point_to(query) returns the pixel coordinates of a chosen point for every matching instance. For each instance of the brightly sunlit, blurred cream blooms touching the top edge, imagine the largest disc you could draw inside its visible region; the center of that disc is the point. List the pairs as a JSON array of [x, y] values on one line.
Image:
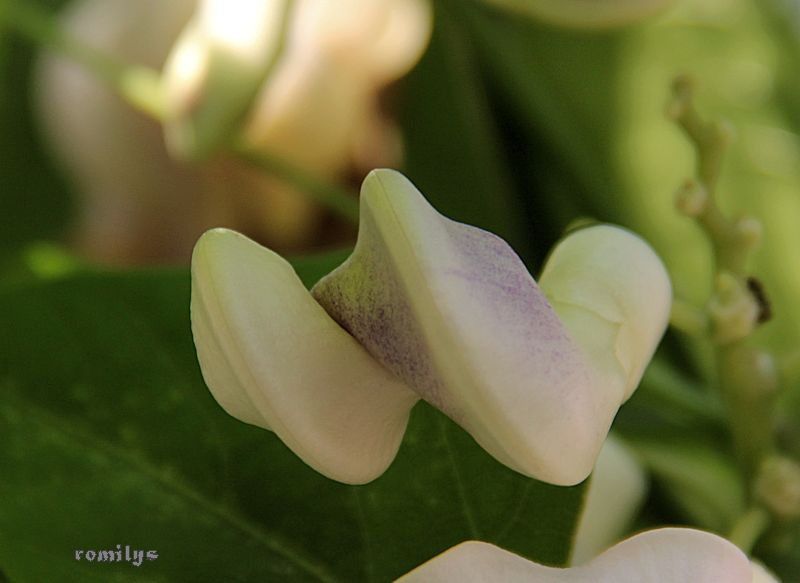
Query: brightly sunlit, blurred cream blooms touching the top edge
[[299, 77]]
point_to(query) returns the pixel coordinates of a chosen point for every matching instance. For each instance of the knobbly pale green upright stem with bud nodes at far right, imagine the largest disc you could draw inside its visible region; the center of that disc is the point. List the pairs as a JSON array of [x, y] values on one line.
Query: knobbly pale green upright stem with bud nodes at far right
[[747, 375]]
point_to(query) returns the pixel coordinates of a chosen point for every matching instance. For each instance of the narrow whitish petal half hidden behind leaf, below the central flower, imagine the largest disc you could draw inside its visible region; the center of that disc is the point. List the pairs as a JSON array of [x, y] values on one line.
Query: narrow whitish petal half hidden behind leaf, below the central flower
[[616, 491]]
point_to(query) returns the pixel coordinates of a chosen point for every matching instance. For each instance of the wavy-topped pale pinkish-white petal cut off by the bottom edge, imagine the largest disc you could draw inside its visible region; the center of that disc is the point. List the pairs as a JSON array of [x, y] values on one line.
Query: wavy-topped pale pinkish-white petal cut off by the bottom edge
[[668, 555]]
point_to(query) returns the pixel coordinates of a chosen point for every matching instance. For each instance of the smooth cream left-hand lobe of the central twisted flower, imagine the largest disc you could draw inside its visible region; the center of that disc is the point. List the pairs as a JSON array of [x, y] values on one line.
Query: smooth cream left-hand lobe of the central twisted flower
[[272, 357]]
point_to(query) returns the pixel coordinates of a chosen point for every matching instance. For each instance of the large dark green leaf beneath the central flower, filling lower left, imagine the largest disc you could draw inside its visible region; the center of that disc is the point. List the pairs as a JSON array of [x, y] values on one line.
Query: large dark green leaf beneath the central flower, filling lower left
[[108, 436]]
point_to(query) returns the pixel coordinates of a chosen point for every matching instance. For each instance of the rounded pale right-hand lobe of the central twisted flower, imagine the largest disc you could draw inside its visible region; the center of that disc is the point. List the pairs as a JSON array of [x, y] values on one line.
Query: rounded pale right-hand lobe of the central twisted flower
[[610, 290]]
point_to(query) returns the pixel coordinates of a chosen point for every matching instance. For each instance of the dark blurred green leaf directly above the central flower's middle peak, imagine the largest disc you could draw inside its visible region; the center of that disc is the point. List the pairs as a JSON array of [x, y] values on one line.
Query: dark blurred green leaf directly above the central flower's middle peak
[[453, 149]]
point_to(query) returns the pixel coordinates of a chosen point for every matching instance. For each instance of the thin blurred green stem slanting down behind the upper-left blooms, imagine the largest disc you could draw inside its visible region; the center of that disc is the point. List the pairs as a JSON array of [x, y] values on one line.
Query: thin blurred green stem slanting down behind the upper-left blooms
[[141, 88]]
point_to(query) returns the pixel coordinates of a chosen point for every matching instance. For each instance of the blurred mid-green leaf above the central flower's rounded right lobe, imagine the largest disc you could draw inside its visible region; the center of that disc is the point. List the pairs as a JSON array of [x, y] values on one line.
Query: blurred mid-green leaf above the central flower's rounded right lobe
[[560, 87]]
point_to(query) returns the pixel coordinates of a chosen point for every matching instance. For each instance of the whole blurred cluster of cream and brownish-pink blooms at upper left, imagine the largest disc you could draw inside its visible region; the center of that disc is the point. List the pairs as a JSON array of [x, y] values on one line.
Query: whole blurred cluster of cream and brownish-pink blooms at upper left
[[317, 109]]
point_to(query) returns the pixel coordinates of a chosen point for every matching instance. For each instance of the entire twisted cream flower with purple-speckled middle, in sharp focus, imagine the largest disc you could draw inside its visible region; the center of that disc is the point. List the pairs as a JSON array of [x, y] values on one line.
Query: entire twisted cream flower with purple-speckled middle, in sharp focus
[[452, 312]]
